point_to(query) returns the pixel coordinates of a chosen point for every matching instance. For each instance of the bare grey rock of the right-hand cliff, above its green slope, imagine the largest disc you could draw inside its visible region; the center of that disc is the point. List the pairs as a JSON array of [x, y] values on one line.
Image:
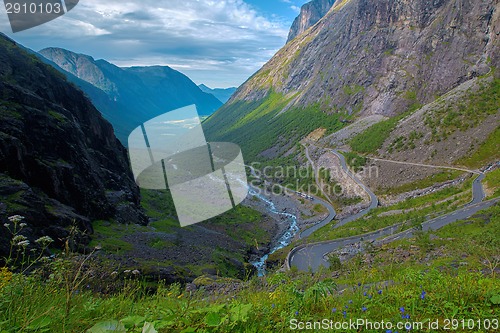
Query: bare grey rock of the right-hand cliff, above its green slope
[[380, 56]]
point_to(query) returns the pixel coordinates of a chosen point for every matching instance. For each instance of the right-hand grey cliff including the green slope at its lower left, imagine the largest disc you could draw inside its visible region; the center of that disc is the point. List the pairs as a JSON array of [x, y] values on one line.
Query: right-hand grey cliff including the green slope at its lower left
[[365, 57]]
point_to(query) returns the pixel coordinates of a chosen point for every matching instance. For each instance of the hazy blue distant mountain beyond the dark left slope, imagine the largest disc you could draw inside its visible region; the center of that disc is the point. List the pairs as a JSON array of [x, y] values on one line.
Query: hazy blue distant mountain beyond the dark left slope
[[134, 95]]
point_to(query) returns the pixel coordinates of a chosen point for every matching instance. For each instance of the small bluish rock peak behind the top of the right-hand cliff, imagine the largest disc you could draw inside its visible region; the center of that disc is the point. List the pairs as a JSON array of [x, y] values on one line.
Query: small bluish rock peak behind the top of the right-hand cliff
[[310, 14]]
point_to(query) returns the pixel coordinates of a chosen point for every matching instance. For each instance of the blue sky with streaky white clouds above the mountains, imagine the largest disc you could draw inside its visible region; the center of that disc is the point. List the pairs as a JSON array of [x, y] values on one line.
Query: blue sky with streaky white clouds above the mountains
[[220, 43]]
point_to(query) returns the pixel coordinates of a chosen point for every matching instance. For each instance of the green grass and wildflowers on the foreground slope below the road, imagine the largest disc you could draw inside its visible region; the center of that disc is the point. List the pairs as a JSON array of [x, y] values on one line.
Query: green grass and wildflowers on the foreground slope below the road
[[449, 275]]
